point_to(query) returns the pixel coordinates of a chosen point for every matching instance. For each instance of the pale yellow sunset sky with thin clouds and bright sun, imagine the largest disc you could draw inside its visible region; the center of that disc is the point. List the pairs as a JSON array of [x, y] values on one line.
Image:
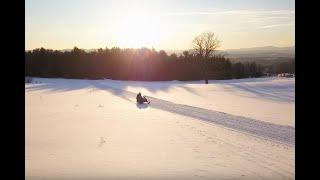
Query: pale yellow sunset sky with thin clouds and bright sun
[[161, 24]]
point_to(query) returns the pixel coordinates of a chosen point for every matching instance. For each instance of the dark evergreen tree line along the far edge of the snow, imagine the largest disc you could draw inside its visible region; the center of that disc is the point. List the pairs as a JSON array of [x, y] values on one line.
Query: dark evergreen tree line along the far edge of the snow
[[132, 64]]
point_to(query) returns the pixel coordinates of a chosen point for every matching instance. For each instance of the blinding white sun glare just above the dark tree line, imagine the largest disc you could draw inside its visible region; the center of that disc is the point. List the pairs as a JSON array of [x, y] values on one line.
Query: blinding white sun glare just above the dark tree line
[[138, 29]]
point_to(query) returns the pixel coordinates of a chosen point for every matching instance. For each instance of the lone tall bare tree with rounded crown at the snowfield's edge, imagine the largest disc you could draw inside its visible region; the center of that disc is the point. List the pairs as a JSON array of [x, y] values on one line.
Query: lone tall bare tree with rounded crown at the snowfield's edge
[[204, 47]]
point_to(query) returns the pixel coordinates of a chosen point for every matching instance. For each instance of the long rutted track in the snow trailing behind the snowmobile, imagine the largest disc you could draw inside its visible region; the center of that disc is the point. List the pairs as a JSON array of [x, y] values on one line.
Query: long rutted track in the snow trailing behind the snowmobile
[[284, 134]]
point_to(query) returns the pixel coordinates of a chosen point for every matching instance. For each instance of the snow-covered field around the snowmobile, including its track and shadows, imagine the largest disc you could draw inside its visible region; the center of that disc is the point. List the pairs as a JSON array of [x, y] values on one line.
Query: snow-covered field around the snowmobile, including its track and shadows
[[93, 129]]
